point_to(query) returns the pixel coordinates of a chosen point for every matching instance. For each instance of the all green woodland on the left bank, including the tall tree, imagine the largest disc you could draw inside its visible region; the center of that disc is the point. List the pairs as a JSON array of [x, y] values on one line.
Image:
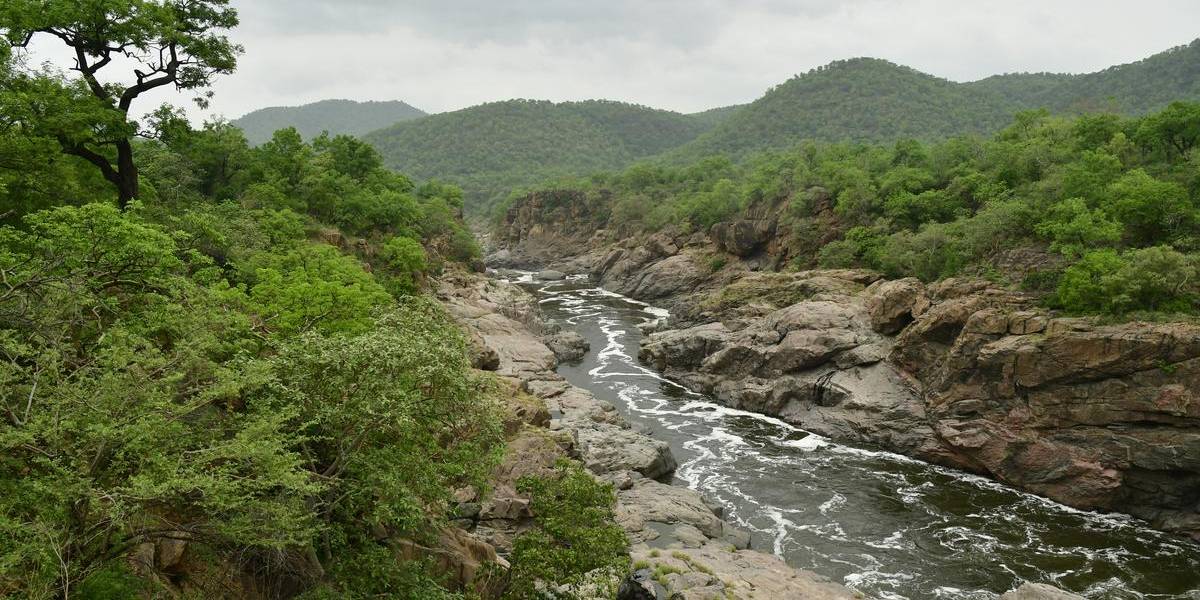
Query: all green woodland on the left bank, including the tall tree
[[243, 356]]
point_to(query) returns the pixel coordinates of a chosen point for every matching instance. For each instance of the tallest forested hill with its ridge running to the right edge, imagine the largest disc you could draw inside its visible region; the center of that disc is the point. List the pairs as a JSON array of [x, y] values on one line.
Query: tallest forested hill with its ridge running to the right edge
[[873, 100]]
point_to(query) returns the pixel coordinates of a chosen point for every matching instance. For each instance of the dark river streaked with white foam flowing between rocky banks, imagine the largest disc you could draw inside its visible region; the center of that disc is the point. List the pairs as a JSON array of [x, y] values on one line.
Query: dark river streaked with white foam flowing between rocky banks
[[887, 526]]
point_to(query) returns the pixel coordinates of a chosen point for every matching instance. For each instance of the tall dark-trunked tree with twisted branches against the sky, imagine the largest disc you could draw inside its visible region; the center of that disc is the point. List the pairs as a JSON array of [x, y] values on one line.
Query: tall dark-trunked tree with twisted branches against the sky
[[170, 43]]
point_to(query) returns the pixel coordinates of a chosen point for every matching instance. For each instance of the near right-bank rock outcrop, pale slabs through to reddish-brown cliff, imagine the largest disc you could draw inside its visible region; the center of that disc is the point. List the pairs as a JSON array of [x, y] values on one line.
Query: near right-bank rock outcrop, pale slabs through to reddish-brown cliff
[[1096, 417]]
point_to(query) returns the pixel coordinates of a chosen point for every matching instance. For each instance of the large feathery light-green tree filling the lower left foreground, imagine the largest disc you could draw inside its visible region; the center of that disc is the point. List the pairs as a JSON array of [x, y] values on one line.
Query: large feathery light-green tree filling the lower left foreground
[[121, 424]]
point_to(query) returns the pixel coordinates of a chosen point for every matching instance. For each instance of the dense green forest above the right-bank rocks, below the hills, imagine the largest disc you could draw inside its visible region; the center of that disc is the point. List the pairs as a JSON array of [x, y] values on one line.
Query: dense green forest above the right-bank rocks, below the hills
[[1103, 211]]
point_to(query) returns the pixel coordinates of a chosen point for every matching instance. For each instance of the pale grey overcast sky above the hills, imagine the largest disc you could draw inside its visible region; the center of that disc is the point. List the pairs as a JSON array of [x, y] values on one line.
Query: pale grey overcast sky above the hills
[[685, 56]]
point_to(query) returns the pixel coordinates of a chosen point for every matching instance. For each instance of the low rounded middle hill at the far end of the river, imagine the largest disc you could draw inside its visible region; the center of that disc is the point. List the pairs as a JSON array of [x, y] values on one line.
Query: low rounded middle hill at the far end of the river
[[493, 148]]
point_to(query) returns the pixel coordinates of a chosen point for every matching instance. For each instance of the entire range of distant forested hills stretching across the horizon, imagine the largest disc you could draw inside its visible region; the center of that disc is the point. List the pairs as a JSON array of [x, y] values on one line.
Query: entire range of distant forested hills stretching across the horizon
[[497, 147]]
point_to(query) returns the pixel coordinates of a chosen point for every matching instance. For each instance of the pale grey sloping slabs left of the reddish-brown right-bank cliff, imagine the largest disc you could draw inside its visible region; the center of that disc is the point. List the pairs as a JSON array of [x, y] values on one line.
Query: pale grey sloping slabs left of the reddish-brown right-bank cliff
[[818, 364]]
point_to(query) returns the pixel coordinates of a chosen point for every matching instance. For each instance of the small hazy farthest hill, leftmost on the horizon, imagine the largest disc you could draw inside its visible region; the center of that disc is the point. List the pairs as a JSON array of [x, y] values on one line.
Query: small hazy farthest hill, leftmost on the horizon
[[332, 116]]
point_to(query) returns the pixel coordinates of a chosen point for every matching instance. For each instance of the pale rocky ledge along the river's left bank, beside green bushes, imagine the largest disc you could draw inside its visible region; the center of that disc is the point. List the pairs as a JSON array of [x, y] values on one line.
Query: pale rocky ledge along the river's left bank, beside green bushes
[[557, 419]]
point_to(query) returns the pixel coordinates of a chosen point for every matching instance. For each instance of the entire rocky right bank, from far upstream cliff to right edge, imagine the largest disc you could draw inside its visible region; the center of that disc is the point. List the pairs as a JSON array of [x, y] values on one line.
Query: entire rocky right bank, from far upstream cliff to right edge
[[962, 373]]
